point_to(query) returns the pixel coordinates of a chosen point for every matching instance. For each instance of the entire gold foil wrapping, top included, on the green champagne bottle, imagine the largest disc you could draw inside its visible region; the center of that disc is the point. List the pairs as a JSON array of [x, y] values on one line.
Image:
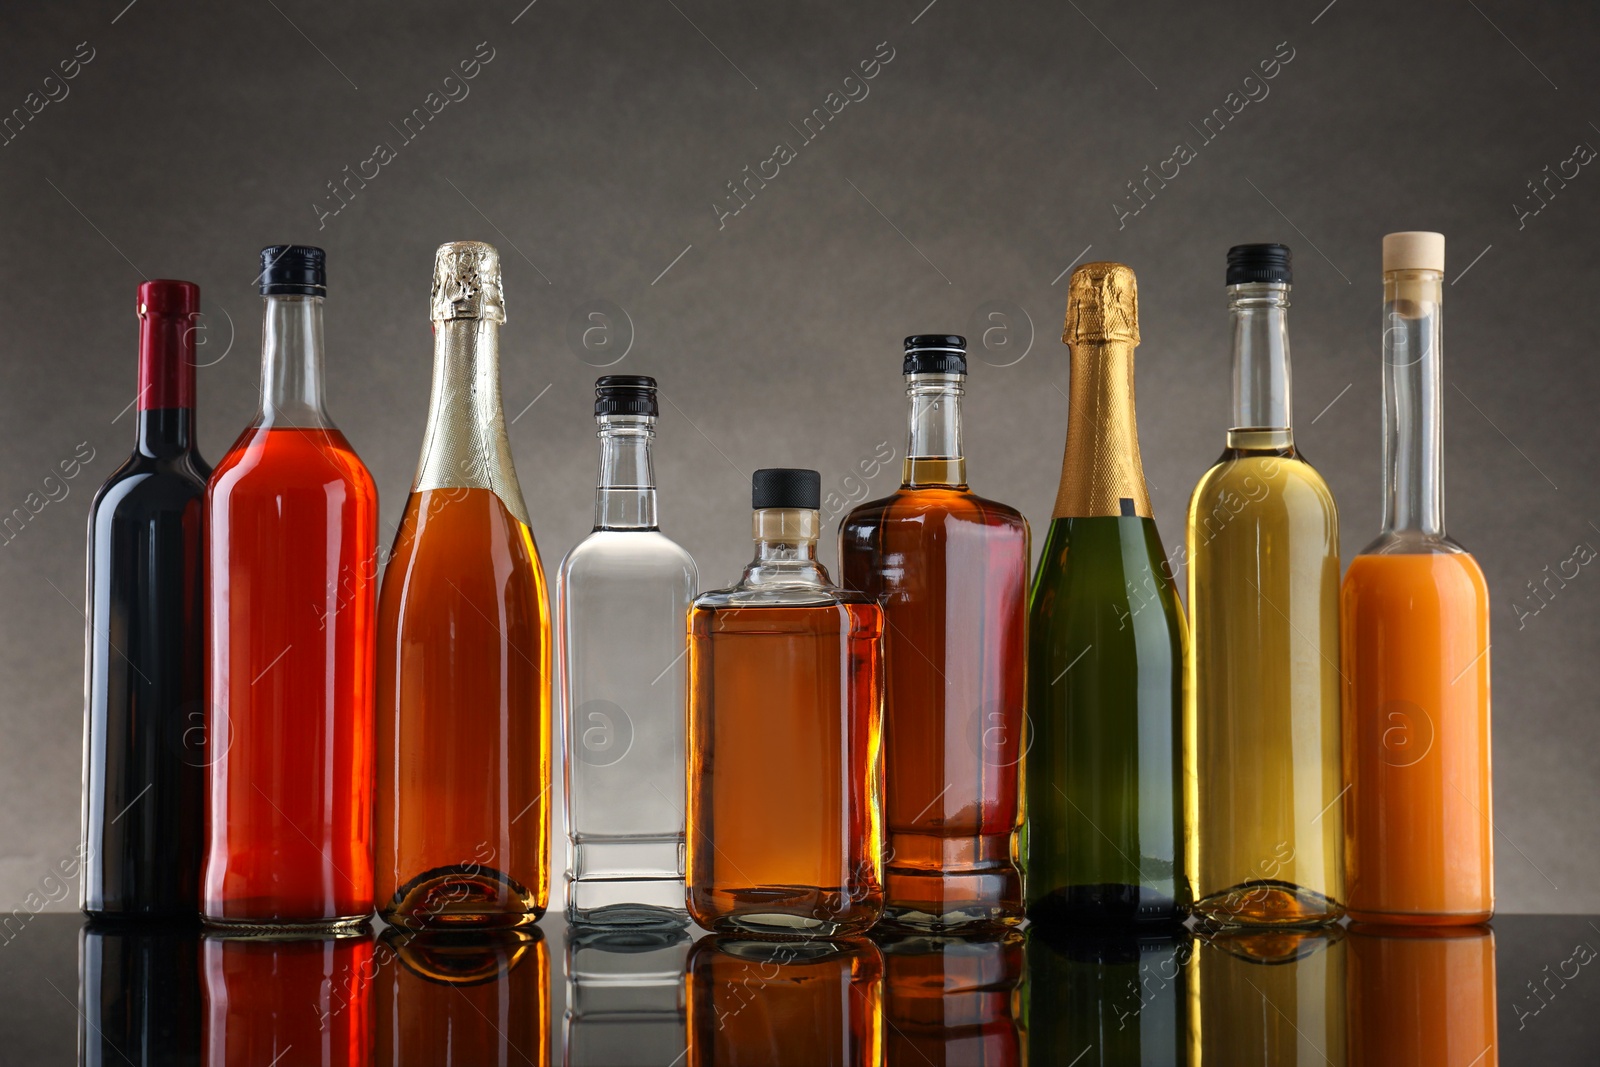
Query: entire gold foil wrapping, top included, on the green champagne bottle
[[1102, 473]]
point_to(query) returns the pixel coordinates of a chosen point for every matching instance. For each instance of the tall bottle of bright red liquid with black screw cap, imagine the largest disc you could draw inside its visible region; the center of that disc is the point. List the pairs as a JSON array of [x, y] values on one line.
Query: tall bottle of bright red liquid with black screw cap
[[290, 585]]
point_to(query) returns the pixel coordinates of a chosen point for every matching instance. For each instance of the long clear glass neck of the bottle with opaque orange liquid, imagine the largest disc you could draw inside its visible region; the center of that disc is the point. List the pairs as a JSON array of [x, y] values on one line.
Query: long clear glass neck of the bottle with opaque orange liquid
[[1414, 404]]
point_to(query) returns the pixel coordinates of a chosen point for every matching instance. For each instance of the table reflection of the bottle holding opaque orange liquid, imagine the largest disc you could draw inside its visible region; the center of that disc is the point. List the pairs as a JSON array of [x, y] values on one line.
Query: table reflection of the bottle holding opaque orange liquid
[[1423, 997]]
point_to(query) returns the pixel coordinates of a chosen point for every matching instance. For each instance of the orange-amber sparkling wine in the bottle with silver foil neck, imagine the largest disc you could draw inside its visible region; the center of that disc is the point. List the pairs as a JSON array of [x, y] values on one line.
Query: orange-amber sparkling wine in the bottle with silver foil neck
[[465, 719]]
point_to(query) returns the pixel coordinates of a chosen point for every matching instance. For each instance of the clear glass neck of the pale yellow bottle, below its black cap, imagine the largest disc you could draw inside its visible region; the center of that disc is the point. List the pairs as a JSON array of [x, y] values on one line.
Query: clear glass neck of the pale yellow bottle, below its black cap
[[1262, 362]]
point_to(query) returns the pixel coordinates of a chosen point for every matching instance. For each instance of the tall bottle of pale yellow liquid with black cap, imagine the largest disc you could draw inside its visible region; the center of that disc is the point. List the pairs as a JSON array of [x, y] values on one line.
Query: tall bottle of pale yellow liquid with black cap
[[1266, 833]]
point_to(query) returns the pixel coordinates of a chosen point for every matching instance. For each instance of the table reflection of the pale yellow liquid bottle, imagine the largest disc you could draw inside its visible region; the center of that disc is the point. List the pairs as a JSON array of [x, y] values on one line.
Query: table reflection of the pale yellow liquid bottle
[[1271, 999]]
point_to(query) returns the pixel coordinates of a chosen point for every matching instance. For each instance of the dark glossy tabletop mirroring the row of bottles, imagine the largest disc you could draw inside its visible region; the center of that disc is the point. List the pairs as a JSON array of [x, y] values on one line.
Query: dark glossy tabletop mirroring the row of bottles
[[1524, 993]]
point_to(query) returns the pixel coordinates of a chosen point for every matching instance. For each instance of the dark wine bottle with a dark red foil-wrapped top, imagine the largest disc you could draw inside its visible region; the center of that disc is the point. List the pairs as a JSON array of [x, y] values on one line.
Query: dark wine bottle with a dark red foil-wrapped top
[[145, 663]]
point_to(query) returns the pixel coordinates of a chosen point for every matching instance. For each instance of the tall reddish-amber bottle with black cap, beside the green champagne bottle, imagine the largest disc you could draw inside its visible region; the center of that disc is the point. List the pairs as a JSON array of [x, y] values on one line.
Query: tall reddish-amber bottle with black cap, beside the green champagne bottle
[[951, 572]]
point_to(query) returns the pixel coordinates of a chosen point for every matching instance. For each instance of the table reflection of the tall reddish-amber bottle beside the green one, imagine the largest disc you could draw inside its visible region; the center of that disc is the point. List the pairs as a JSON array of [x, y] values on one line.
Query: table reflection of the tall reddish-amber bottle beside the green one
[[951, 1001]]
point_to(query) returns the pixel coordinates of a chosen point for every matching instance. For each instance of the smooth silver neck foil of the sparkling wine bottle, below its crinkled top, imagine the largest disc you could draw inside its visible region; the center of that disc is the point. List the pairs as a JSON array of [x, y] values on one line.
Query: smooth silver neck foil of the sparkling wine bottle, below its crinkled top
[[465, 446]]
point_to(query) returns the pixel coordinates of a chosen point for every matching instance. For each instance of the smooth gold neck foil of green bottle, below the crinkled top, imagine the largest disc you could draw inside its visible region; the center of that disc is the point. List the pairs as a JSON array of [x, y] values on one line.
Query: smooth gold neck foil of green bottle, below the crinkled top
[[1102, 473]]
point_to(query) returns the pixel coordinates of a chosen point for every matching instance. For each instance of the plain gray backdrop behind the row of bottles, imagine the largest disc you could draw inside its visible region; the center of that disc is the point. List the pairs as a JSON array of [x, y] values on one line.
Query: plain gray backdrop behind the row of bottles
[[986, 159]]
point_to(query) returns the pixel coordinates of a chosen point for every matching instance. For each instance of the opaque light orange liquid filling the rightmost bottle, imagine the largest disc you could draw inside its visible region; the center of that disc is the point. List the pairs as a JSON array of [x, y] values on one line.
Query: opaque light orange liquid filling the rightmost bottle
[[1417, 740]]
